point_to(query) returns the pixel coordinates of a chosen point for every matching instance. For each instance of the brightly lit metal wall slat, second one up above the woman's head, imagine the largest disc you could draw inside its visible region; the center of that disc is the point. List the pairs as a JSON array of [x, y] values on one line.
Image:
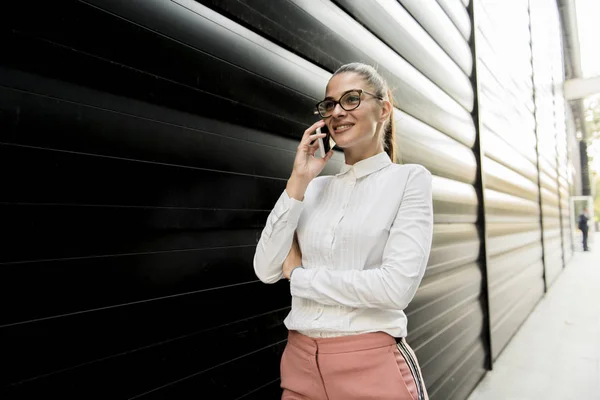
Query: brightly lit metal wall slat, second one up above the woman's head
[[397, 28]]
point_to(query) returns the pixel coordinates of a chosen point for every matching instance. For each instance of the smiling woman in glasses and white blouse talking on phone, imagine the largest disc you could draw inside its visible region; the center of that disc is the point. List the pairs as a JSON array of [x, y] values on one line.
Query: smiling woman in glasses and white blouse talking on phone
[[354, 247]]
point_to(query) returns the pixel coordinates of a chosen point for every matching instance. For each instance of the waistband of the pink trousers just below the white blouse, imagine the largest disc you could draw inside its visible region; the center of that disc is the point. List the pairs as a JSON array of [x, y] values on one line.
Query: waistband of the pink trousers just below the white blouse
[[342, 344]]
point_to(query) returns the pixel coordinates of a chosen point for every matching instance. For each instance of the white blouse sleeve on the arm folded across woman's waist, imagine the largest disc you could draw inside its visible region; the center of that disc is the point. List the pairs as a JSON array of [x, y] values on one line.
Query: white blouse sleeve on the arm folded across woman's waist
[[405, 256]]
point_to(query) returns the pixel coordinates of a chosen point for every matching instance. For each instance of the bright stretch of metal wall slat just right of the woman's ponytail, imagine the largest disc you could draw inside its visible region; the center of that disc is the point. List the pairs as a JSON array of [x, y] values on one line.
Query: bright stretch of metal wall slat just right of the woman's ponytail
[[443, 156]]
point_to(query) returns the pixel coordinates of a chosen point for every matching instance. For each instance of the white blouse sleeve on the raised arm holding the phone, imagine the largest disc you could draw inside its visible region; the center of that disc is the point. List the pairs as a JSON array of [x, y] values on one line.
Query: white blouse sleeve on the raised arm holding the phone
[[276, 239]]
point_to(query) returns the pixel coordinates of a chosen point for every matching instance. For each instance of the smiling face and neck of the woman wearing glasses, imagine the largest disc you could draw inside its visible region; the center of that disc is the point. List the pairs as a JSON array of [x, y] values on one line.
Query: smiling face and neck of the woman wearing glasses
[[358, 131]]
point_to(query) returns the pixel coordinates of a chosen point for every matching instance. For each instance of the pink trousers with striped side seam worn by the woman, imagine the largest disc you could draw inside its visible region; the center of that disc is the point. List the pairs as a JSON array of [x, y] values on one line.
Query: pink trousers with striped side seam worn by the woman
[[368, 366]]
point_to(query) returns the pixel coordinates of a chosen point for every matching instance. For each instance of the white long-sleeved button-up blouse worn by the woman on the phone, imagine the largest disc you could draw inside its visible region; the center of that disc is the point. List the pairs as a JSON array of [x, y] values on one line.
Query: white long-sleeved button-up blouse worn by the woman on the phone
[[365, 236]]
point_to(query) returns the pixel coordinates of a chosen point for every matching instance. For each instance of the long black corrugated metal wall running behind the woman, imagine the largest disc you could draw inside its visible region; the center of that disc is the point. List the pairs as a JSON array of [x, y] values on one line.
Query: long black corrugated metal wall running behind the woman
[[145, 142]]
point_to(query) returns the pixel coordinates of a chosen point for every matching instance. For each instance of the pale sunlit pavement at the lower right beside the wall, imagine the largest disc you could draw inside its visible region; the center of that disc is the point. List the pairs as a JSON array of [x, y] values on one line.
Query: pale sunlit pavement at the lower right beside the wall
[[555, 355]]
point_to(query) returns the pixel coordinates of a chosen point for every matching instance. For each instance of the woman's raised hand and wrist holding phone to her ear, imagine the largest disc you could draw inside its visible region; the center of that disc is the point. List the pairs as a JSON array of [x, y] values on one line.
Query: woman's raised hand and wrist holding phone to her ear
[[306, 165]]
